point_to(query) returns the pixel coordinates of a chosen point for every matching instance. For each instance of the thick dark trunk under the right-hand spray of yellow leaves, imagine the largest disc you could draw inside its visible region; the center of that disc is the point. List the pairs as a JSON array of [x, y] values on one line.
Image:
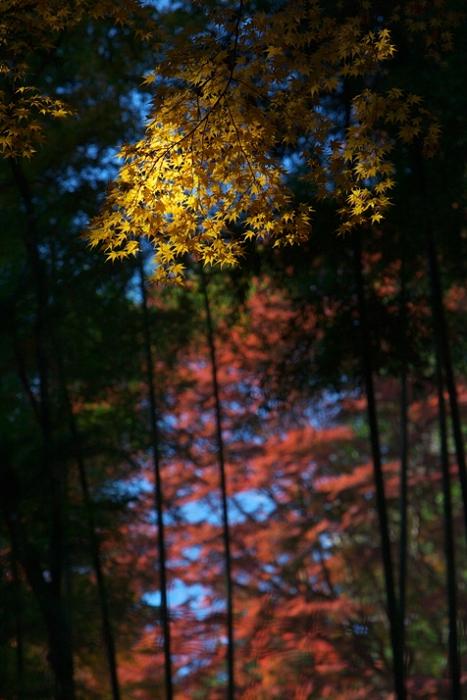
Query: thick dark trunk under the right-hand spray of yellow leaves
[[367, 370]]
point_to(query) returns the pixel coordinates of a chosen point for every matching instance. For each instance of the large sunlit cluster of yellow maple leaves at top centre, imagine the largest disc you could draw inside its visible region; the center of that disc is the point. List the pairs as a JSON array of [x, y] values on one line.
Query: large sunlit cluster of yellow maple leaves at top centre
[[207, 176]]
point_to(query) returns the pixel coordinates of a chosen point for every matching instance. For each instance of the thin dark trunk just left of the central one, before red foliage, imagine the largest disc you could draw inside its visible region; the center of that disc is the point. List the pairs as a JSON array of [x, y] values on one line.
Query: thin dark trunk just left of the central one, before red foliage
[[158, 490]]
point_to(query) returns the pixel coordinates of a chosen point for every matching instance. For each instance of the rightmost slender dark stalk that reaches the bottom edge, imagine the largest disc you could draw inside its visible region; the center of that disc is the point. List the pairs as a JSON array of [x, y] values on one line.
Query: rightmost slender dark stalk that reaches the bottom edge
[[449, 550]]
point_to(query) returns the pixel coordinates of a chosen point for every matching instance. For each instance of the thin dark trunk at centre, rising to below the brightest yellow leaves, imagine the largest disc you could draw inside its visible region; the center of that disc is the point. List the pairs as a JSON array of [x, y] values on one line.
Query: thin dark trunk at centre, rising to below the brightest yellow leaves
[[223, 489]]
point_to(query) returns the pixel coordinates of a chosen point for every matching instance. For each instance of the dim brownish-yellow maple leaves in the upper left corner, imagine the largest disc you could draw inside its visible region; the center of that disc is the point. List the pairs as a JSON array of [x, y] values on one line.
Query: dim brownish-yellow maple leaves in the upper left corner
[[29, 30]]
